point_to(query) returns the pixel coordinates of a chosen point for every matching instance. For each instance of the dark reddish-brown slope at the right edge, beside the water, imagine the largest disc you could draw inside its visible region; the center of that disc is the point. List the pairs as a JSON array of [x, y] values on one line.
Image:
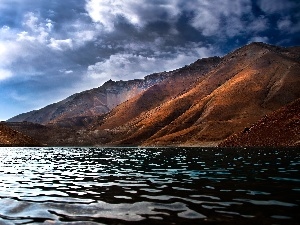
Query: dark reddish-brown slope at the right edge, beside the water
[[280, 128]]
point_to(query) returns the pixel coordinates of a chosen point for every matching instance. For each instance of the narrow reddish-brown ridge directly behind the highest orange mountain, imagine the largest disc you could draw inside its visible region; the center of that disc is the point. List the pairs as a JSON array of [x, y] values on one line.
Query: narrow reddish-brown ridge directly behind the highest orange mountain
[[177, 83]]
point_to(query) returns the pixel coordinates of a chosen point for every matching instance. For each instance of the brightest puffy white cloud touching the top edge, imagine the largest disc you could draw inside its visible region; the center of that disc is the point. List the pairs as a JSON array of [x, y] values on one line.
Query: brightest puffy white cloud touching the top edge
[[138, 13]]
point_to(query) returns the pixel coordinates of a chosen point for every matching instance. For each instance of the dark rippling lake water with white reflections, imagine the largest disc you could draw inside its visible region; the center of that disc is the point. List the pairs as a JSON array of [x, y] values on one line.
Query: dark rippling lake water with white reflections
[[149, 186]]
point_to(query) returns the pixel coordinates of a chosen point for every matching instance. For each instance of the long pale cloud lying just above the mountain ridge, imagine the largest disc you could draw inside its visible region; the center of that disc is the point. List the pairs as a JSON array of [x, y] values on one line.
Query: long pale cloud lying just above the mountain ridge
[[128, 66]]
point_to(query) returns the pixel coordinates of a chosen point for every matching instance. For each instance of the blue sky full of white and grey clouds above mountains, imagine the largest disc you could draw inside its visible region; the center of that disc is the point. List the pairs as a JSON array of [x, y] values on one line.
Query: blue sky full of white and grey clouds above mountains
[[51, 49]]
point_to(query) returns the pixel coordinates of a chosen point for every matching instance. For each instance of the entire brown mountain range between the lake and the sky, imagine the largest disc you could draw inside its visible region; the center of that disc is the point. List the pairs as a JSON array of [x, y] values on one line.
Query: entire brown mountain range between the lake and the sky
[[213, 101]]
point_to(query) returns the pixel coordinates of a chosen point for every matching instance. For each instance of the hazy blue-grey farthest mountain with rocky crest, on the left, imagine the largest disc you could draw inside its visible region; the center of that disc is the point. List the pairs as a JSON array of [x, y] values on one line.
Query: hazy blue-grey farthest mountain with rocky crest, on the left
[[92, 102]]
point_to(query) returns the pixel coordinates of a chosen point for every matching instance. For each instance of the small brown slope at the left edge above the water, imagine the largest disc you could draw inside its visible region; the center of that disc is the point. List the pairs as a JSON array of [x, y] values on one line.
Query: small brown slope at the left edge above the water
[[10, 137]]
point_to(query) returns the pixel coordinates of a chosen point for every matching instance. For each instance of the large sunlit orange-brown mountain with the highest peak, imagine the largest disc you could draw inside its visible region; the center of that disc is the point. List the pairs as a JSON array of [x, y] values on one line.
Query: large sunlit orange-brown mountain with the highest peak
[[246, 85]]
